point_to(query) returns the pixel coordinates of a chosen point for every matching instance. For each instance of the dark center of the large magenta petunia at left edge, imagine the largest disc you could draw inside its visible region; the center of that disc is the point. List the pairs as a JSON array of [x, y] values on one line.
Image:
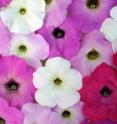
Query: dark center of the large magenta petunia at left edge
[[12, 85]]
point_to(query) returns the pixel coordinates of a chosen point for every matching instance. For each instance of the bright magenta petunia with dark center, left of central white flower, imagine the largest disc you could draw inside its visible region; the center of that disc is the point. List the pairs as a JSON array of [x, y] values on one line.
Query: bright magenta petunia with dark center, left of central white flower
[[16, 81]]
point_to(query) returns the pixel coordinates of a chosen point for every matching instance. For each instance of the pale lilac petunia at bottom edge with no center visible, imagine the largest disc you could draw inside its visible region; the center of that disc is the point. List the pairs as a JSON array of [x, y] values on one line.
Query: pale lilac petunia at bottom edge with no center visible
[[35, 113]]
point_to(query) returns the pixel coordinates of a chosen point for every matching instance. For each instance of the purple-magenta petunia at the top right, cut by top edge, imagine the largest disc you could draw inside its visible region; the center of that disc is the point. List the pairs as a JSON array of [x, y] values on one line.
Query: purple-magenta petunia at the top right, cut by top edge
[[89, 14]]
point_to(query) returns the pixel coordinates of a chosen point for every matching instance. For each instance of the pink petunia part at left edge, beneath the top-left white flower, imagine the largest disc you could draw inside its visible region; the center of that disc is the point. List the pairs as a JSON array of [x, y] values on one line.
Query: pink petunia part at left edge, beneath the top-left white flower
[[5, 37]]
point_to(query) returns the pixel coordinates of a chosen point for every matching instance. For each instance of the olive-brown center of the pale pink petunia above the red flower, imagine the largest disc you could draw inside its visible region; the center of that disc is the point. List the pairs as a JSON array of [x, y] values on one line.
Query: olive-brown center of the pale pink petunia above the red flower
[[93, 55]]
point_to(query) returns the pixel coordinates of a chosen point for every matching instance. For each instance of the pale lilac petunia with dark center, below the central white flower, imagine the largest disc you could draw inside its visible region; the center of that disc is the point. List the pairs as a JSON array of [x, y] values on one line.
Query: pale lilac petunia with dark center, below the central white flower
[[71, 115]]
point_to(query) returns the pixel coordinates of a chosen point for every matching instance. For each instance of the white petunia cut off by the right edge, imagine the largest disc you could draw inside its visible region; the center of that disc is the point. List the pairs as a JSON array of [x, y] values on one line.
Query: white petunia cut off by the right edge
[[109, 28]]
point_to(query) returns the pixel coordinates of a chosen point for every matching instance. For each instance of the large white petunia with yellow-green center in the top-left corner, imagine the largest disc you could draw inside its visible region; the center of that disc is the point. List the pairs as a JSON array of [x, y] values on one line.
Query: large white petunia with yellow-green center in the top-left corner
[[23, 16]]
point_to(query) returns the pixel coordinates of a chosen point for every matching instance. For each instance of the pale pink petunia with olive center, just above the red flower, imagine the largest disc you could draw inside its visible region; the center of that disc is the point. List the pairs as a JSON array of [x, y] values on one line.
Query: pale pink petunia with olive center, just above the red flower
[[93, 52]]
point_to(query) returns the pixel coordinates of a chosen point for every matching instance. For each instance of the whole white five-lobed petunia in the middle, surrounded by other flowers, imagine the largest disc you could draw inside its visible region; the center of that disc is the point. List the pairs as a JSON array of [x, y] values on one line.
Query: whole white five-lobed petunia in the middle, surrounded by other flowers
[[57, 83]]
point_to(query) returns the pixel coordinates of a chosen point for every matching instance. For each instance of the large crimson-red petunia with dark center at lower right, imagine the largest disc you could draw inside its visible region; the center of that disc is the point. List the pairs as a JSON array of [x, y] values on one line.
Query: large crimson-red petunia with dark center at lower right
[[101, 86]]
